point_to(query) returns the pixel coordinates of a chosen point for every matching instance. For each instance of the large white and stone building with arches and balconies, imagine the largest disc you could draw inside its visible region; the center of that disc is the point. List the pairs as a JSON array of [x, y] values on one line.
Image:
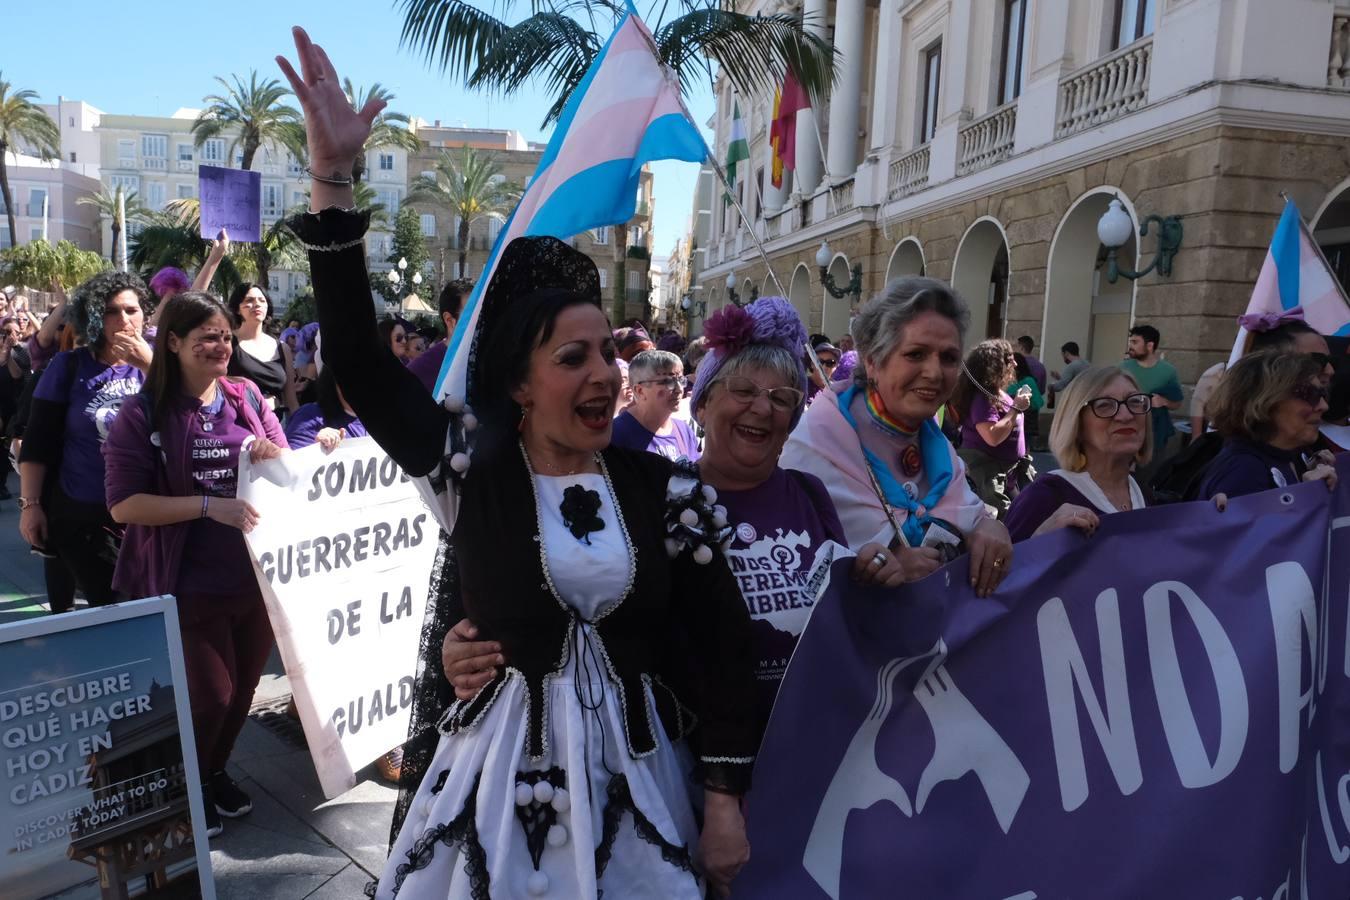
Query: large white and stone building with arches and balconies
[[981, 142]]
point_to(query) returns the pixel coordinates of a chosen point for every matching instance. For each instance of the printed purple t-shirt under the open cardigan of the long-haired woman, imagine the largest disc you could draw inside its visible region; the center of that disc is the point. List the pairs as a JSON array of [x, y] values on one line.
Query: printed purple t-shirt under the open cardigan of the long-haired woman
[[215, 558]]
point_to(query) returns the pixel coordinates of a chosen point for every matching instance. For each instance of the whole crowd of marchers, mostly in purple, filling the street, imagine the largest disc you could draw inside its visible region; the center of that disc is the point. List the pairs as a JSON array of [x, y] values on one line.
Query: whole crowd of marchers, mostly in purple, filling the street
[[654, 508]]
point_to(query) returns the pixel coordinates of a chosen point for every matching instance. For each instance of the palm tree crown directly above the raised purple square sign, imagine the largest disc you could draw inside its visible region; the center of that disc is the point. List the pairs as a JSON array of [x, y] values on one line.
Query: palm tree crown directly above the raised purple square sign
[[252, 115]]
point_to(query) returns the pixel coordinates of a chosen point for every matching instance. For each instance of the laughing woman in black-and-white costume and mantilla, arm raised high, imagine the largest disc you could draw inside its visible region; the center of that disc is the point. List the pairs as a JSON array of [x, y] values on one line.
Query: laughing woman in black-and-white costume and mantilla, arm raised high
[[597, 570]]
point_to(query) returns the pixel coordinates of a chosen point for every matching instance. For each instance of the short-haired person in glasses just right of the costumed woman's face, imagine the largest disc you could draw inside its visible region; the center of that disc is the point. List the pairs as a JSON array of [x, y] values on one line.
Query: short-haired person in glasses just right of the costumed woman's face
[[650, 423]]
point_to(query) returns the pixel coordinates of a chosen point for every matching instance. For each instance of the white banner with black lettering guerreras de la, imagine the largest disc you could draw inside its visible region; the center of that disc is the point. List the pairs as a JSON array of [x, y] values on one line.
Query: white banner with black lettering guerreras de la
[[344, 551]]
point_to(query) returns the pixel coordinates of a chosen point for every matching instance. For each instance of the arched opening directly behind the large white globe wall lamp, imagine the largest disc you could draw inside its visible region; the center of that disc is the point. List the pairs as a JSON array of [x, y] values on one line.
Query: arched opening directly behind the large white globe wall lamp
[[1081, 304]]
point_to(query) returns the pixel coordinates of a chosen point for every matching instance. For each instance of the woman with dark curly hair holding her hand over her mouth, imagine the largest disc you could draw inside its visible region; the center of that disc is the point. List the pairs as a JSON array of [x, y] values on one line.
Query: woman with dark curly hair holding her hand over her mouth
[[74, 410]]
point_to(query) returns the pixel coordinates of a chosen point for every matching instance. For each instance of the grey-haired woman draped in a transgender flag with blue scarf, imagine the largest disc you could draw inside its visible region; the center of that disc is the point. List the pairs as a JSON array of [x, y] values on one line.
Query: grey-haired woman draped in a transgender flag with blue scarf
[[882, 455]]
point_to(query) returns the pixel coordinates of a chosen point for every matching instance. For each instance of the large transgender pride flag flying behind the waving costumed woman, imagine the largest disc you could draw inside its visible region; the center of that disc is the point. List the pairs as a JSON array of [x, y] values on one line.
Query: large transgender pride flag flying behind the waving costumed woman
[[626, 113]]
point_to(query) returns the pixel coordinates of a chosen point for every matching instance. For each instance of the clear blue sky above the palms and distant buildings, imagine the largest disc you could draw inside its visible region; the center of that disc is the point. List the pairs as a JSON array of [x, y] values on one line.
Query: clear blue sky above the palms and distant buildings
[[152, 57]]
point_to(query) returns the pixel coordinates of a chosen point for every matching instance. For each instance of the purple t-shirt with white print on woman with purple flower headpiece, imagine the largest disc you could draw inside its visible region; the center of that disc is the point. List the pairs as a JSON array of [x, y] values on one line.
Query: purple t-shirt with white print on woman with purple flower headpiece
[[780, 528]]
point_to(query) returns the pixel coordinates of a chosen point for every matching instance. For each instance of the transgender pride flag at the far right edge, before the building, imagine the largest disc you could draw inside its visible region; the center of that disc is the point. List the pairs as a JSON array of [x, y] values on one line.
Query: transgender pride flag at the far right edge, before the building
[[1297, 275]]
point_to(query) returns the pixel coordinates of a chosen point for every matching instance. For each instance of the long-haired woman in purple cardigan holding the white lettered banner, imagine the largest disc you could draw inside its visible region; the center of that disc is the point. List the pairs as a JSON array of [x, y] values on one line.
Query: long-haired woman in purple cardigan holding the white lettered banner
[[172, 478]]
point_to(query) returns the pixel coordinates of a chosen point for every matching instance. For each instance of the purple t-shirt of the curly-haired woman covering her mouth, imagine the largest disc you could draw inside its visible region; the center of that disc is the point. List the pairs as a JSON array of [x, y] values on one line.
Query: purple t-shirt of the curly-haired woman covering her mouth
[[92, 403]]
